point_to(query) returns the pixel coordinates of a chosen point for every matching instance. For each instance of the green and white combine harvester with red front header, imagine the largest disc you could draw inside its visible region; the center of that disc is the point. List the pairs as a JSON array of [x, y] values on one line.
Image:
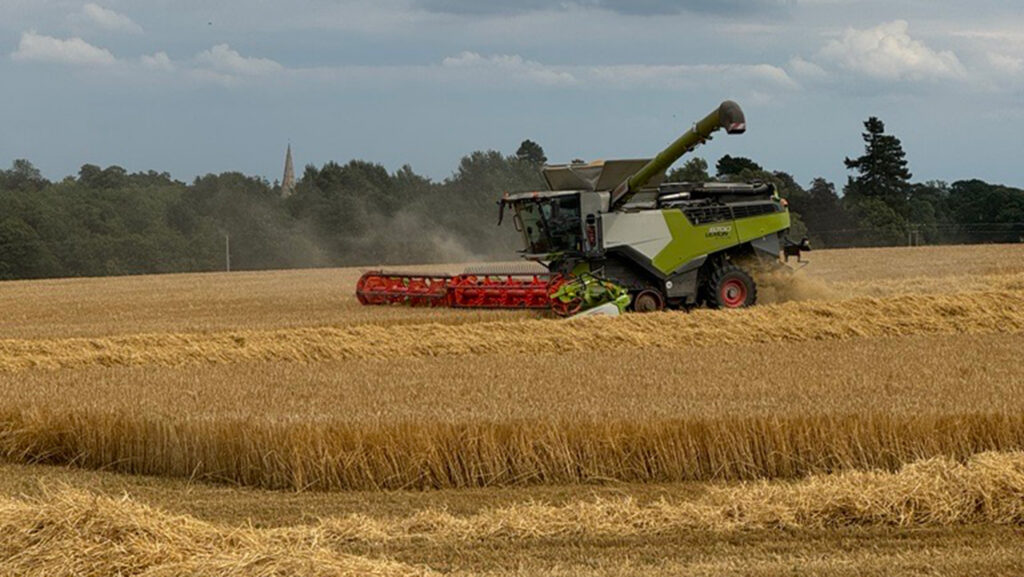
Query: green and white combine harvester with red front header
[[612, 237]]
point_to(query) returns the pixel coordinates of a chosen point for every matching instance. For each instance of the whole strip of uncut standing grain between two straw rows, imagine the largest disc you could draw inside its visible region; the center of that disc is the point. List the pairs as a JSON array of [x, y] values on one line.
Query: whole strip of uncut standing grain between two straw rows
[[757, 410]]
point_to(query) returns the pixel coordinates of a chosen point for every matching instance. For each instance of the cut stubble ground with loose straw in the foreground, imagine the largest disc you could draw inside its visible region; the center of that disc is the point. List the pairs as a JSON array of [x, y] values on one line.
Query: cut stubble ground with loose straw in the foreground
[[932, 518]]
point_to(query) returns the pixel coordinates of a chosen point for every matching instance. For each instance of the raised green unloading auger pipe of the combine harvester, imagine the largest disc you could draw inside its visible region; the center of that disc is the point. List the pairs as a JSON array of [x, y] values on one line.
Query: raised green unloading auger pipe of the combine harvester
[[729, 116]]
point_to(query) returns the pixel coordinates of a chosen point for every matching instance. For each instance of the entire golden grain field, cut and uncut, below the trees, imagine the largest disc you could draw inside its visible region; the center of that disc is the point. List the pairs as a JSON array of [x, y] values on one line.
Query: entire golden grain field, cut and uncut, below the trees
[[866, 420]]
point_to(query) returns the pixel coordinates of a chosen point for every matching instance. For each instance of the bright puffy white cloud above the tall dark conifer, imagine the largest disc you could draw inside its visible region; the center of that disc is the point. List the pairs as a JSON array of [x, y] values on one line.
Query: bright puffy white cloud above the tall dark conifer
[[888, 53]]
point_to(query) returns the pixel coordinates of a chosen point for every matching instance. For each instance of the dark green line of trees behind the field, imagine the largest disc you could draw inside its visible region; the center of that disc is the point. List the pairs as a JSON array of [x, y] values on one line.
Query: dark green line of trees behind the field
[[109, 222]]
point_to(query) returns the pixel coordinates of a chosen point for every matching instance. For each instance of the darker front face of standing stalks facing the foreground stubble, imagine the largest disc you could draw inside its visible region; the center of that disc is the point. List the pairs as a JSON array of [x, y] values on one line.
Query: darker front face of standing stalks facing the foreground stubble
[[408, 456]]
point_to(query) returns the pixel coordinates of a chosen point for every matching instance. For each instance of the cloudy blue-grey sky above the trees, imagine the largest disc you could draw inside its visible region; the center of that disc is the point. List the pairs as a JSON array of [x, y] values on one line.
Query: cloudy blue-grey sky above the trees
[[193, 88]]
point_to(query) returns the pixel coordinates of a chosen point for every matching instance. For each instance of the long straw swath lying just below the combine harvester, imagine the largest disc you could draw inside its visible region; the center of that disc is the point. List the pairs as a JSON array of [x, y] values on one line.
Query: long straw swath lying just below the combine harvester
[[971, 313]]
